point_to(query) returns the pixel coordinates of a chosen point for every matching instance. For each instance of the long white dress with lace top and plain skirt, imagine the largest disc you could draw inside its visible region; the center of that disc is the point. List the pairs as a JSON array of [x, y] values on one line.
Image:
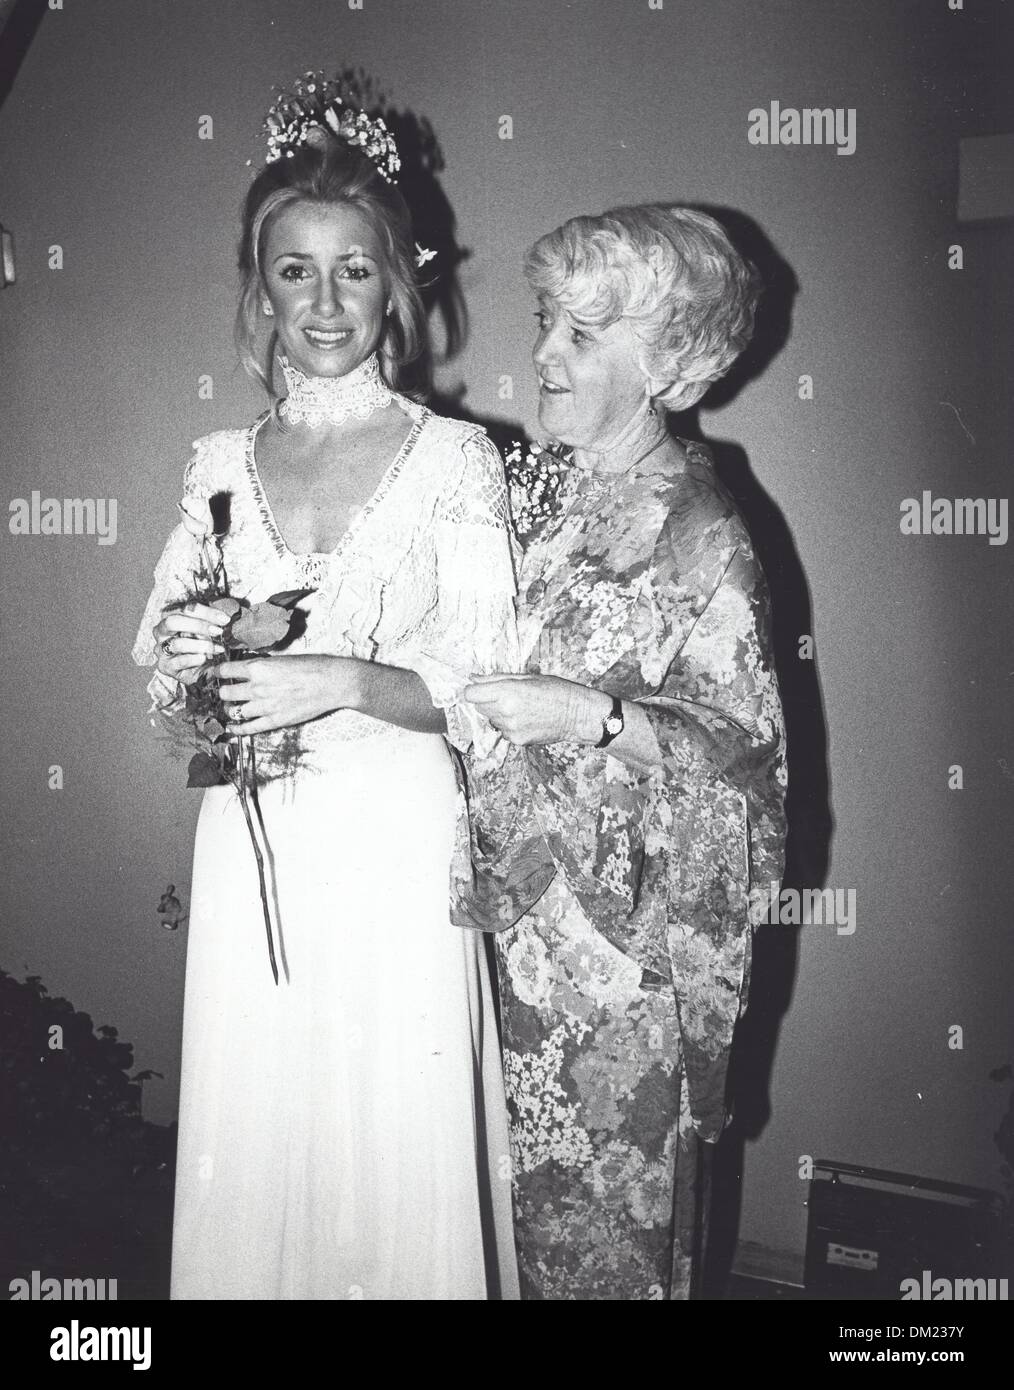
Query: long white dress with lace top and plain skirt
[[343, 1135]]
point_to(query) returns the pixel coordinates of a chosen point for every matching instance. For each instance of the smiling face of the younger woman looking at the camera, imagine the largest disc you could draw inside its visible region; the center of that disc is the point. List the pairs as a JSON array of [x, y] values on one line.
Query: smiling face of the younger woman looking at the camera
[[326, 279]]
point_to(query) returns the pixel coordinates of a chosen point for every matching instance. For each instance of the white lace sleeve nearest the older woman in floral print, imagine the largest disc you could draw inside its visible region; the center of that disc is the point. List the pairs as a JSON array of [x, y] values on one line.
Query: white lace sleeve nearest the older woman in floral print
[[472, 629]]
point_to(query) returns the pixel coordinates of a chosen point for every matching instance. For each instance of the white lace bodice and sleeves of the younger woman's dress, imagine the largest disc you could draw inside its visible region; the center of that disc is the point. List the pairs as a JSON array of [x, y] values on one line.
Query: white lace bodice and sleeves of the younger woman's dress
[[424, 579]]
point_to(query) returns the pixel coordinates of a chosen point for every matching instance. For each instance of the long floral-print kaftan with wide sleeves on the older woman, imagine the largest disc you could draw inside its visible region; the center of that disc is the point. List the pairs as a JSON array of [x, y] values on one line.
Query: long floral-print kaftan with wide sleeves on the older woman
[[624, 900]]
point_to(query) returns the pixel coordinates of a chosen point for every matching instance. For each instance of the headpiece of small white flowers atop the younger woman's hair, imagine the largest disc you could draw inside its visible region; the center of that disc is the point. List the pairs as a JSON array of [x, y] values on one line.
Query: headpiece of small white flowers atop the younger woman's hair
[[333, 105]]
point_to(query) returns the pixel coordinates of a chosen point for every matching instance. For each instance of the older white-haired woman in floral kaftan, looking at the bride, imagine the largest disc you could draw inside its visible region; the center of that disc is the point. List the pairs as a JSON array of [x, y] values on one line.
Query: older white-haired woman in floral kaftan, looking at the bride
[[617, 847]]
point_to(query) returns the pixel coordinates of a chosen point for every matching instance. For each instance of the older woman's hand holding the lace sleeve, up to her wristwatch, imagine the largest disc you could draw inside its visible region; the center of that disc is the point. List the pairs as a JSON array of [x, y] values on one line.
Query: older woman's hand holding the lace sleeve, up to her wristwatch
[[540, 710]]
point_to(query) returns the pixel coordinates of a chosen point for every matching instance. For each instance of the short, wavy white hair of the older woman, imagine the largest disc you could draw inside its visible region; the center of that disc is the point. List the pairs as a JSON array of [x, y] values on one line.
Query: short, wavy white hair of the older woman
[[673, 272]]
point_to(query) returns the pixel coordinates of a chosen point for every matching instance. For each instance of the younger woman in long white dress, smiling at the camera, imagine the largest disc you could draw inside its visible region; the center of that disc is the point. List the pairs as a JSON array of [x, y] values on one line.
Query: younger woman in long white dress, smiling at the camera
[[343, 1134]]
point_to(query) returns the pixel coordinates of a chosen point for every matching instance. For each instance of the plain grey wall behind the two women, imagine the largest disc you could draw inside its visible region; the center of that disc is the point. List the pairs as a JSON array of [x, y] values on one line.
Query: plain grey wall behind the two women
[[613, 102]]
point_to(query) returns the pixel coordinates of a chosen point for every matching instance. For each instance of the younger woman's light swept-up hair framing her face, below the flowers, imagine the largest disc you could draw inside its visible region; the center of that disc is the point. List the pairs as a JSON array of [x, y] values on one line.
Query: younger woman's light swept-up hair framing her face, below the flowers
[[333, 173]]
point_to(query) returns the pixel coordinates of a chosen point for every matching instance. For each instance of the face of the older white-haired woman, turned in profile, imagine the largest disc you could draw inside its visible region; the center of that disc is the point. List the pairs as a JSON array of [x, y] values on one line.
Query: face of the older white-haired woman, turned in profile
[[590, 382]]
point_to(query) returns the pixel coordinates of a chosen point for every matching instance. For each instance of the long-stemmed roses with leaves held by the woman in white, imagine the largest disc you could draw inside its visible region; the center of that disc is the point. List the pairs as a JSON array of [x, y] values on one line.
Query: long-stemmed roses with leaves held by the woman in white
[[225, 757]]
